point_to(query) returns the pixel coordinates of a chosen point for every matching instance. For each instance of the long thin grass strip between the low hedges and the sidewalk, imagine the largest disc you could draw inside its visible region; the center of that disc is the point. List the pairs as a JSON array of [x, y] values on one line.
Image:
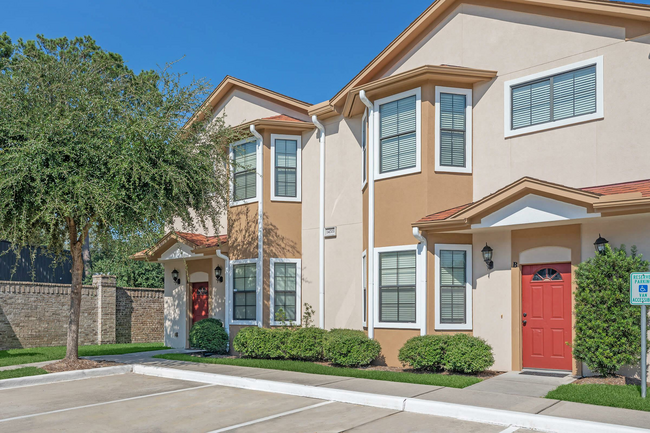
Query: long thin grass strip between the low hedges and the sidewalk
[[449, 380]]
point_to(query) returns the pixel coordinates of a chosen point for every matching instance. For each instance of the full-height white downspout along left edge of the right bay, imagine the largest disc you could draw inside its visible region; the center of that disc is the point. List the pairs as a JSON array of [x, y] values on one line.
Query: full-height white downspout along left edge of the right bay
[[371, 213]]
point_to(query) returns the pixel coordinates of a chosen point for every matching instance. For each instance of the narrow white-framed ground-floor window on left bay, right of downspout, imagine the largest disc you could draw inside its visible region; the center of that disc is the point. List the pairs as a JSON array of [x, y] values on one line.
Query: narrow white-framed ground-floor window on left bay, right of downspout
[[285, 291]]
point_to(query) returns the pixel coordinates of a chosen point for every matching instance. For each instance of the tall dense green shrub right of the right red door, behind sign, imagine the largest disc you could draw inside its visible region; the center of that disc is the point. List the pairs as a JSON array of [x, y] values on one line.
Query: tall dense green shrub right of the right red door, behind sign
[[607, 330]]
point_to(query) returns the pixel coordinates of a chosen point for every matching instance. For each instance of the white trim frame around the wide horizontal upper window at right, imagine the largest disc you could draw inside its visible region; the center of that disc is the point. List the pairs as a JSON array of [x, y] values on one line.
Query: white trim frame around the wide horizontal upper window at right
[[507, 89]]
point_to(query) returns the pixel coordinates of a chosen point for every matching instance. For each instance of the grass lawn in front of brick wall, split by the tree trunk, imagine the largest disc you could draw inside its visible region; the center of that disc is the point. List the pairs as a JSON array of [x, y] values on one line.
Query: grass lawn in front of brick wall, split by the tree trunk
[[38, 354]]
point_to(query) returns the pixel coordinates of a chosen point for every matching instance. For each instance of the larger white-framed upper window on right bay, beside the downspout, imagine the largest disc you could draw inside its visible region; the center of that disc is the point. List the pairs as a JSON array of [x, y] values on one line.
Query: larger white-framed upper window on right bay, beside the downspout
[[398, 130]]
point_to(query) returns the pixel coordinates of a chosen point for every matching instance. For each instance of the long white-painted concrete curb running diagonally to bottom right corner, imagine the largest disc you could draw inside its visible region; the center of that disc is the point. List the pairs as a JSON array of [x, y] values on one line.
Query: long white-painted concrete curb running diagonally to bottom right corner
[[413, 405]]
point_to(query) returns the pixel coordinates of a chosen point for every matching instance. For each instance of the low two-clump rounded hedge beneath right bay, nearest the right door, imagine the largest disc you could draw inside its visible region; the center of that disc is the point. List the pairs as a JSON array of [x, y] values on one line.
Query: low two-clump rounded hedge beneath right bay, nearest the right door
[[458, 353]]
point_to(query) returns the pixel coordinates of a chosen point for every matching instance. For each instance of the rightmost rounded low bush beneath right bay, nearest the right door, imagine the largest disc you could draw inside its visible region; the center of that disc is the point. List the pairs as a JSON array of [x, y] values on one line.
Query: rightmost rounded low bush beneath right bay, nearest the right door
[[467, 354]]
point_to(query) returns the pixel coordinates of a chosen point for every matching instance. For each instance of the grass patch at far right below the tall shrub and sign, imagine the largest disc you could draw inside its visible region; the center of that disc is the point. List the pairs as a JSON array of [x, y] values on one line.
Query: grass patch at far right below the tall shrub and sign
[[623, 396]]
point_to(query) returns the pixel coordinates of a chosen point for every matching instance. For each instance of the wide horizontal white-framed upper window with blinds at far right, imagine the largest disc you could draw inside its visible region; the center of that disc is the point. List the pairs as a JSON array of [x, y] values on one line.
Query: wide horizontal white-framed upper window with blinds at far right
[[559, 97]]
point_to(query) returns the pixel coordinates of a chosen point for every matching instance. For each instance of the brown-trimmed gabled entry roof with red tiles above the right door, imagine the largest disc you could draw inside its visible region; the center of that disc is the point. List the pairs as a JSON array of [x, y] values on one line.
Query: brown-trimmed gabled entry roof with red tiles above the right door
[[603, 200]]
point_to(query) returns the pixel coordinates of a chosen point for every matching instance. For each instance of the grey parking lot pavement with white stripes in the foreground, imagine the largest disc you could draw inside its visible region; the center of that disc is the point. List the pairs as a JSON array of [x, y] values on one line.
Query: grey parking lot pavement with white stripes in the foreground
[[133, 403]]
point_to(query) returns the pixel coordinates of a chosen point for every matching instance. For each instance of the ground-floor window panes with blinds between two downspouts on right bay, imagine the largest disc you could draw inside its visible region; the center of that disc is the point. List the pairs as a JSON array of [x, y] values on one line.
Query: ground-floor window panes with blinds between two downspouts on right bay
[[397, 286]]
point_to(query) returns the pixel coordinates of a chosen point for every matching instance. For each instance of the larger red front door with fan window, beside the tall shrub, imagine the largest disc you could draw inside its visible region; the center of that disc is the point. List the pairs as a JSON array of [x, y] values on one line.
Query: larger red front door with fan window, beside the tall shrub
[[546, 316]]
